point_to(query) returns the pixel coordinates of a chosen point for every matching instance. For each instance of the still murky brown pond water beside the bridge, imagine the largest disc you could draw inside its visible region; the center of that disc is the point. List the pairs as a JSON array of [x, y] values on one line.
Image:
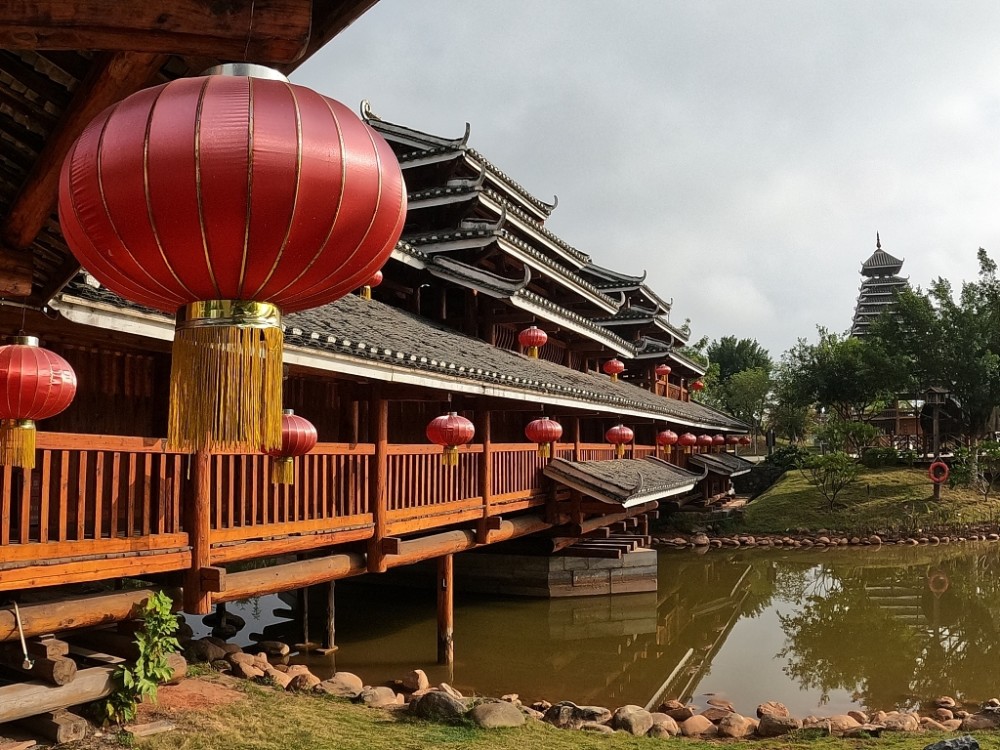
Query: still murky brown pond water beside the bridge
[[820, 631]]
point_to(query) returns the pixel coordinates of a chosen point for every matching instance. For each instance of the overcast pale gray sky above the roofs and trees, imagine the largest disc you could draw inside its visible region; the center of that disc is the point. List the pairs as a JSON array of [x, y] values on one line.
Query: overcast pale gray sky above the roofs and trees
[[743, 153]]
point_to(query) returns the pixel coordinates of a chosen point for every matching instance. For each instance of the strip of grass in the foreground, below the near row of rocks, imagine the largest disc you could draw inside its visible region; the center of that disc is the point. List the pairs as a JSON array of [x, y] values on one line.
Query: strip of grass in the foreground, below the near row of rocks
[[266, 719]]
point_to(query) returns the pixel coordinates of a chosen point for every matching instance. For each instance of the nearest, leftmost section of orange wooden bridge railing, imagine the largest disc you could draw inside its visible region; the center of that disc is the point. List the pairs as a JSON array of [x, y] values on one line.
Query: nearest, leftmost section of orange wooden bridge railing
[[96, 502]]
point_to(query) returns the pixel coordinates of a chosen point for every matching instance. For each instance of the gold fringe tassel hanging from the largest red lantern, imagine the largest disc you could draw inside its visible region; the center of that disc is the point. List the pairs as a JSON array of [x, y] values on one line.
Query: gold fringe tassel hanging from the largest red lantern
[[225, 380]]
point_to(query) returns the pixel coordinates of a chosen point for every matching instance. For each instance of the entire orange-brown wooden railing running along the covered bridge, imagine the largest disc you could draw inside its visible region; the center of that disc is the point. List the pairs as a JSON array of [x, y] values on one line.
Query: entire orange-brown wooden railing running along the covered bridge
[[97, 506]]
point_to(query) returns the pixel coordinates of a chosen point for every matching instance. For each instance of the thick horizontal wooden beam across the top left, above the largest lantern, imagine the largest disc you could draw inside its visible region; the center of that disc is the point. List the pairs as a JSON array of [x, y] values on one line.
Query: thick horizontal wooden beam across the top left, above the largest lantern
[[274, 31]]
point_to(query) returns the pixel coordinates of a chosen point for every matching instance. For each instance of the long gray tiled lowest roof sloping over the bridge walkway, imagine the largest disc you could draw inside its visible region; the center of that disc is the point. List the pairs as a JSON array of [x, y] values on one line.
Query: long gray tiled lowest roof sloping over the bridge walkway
[[368, 330]]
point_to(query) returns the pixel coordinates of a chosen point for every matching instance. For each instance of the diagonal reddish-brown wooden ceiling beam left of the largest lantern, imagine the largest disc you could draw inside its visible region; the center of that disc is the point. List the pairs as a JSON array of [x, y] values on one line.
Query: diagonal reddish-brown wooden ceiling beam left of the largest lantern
[[112, 76]]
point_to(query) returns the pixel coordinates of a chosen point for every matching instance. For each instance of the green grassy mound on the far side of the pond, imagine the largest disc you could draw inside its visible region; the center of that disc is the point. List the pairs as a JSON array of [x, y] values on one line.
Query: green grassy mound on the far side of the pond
[[893, 501]]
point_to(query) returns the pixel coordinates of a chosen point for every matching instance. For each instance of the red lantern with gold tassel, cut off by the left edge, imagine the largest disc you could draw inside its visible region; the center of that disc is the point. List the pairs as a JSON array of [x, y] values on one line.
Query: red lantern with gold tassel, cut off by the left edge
[[35, 384]]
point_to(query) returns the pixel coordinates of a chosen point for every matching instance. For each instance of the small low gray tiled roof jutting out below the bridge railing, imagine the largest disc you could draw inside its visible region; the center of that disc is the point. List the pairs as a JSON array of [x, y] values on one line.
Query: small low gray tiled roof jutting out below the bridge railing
[[622, 481]]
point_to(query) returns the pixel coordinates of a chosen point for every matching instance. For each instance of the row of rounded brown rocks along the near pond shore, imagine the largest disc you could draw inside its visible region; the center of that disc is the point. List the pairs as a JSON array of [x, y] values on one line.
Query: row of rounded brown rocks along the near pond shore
[[442, 703]]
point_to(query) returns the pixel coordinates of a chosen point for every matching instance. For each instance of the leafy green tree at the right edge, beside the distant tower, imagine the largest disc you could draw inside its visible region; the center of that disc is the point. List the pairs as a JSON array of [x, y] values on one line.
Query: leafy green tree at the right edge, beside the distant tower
[[952, 341]]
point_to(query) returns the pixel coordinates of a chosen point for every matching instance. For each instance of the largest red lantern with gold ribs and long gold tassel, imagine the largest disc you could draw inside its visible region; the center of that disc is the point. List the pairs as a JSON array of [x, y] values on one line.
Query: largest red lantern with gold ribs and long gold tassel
[[228, 200]]
